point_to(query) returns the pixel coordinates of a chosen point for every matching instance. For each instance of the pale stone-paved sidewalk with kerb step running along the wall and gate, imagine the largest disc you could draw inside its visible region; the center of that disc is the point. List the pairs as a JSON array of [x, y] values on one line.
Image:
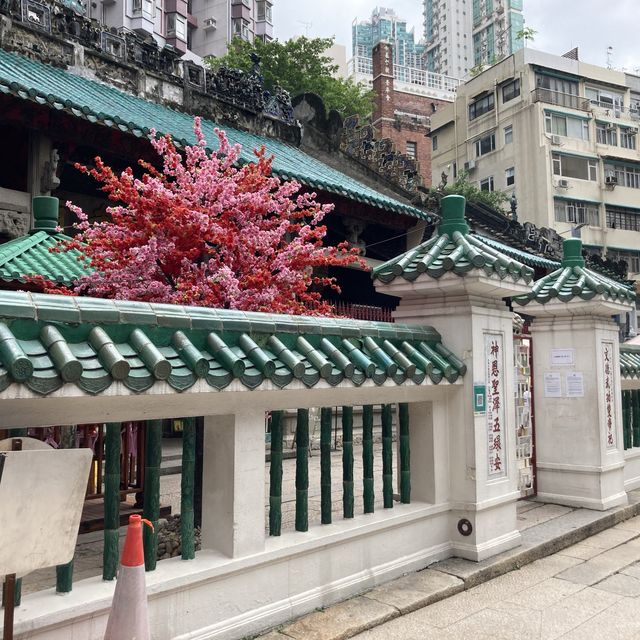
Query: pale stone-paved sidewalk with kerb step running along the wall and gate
[[575, 568]]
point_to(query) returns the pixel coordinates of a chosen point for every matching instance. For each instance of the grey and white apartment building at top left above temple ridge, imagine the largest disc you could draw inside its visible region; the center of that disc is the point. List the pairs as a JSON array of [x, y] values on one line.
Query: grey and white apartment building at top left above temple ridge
[[195, 28]]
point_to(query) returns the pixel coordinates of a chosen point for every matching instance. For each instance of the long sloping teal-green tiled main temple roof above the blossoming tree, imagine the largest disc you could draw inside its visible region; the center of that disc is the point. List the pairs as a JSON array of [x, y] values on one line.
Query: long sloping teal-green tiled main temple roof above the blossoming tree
[[103, 104]]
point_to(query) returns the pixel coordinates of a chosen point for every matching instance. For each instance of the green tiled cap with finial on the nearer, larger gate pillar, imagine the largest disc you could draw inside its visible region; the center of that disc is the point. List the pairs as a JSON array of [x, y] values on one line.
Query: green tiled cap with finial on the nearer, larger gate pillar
[[452, 249]]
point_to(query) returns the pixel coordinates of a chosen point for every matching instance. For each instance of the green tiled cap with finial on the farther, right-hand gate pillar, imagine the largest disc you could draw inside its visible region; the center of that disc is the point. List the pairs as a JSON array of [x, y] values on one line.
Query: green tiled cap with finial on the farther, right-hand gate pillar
[[574, 280]]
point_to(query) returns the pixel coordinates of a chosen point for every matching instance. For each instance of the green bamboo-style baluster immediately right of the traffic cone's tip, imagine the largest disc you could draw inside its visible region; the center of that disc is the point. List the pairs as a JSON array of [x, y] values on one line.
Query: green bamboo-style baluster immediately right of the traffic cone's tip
[[152, 462]]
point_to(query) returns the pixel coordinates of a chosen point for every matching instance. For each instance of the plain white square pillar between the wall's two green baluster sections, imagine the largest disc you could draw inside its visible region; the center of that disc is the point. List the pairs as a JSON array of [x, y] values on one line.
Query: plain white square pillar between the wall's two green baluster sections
[[233, 483]]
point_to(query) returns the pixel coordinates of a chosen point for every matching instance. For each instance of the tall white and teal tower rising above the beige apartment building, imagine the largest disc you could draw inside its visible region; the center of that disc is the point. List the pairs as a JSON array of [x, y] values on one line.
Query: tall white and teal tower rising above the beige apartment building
[[463, 34]]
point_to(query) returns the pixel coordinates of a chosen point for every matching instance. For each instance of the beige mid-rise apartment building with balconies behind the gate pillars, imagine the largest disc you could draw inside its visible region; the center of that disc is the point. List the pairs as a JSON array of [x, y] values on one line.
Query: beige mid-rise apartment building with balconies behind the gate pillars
[[562, 136]]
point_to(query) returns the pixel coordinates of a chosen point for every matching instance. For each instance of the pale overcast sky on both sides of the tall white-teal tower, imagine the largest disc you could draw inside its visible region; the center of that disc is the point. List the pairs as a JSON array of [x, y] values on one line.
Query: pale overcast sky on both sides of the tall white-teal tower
[[591, 25]]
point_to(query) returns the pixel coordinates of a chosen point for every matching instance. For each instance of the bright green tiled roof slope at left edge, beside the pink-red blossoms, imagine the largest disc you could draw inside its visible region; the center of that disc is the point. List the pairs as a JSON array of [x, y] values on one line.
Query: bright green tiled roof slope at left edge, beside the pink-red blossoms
[[31, 256]]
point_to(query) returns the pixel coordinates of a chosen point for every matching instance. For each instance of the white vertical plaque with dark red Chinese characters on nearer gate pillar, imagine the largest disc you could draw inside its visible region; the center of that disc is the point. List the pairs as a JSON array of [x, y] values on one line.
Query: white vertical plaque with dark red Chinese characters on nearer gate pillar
[[496, 446]]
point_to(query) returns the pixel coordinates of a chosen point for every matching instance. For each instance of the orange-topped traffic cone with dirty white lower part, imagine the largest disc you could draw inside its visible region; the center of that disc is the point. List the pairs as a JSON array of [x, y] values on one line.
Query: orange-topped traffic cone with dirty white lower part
[[128, 618]]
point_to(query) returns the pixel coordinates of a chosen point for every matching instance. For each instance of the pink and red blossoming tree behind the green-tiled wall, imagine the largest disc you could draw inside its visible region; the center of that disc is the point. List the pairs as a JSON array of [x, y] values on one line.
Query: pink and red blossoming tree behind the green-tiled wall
[[204, 230]]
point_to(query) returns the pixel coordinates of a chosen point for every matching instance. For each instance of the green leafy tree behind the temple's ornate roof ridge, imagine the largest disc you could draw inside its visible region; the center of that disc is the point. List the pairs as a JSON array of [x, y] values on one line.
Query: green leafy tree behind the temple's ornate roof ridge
[[299, 66]]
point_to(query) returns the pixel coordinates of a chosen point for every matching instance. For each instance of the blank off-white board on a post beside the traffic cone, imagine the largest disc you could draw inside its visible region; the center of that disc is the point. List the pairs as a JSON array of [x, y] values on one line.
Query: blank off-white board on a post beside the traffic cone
[[41, 498]]
